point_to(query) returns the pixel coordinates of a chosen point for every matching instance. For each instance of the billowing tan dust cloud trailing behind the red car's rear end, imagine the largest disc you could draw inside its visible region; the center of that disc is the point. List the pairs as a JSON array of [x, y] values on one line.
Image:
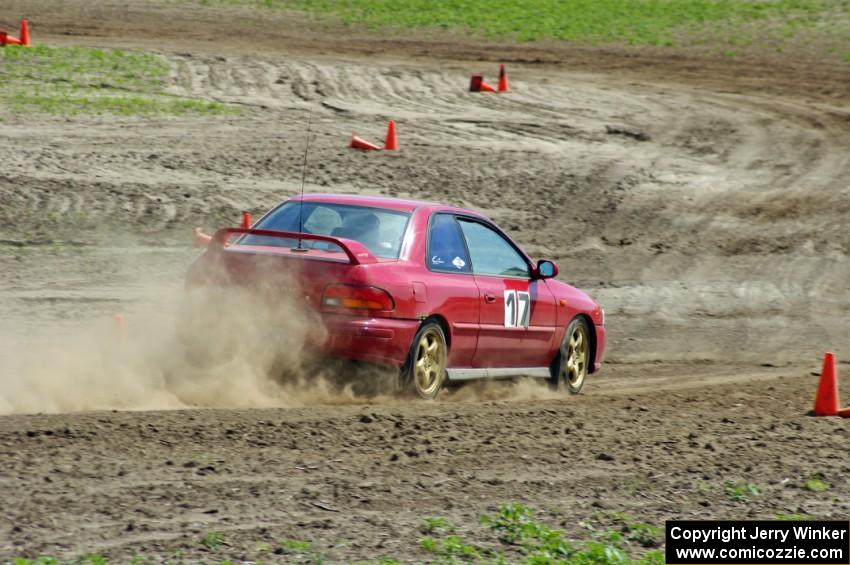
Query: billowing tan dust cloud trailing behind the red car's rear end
[[221, 349]]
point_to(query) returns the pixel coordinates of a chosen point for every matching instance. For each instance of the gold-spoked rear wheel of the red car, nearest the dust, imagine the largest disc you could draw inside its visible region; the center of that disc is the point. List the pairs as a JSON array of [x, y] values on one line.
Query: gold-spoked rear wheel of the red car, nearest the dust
[[425, 370]]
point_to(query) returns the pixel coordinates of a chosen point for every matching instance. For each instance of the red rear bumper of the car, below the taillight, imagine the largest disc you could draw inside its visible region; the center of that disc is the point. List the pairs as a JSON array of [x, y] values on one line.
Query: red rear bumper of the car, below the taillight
[[385, 341]]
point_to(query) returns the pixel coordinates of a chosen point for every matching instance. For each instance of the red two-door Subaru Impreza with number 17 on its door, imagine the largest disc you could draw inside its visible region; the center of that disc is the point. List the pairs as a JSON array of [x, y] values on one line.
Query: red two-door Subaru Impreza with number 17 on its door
[[439, 292]]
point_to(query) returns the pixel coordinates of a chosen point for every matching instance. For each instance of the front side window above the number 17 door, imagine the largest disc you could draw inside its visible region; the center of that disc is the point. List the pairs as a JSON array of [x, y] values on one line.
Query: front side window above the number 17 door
[[491, 253]]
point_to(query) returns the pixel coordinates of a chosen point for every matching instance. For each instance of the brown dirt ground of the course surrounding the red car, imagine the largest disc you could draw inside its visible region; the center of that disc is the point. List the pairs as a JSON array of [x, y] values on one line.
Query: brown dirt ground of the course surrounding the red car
[[703, 201]]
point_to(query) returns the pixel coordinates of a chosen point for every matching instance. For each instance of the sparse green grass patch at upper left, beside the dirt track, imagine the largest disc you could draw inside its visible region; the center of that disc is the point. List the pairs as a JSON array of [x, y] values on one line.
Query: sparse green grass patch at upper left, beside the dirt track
[[79, 80]]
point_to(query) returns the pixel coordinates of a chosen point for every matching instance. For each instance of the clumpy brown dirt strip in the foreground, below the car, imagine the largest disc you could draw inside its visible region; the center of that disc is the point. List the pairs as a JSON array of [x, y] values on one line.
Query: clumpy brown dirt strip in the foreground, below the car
[[121, 482]]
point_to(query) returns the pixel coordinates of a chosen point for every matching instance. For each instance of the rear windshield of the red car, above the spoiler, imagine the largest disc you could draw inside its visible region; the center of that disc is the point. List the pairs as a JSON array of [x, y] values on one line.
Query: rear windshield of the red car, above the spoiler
[[378, 229]]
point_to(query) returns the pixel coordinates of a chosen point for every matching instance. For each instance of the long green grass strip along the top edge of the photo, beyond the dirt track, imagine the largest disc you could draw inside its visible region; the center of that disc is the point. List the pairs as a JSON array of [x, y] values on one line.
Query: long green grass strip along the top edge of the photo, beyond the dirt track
[[644, 22]]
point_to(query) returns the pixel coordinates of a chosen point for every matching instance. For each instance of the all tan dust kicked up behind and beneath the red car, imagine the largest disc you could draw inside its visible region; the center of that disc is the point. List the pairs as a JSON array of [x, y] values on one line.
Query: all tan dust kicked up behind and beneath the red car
[[213, 347]]
